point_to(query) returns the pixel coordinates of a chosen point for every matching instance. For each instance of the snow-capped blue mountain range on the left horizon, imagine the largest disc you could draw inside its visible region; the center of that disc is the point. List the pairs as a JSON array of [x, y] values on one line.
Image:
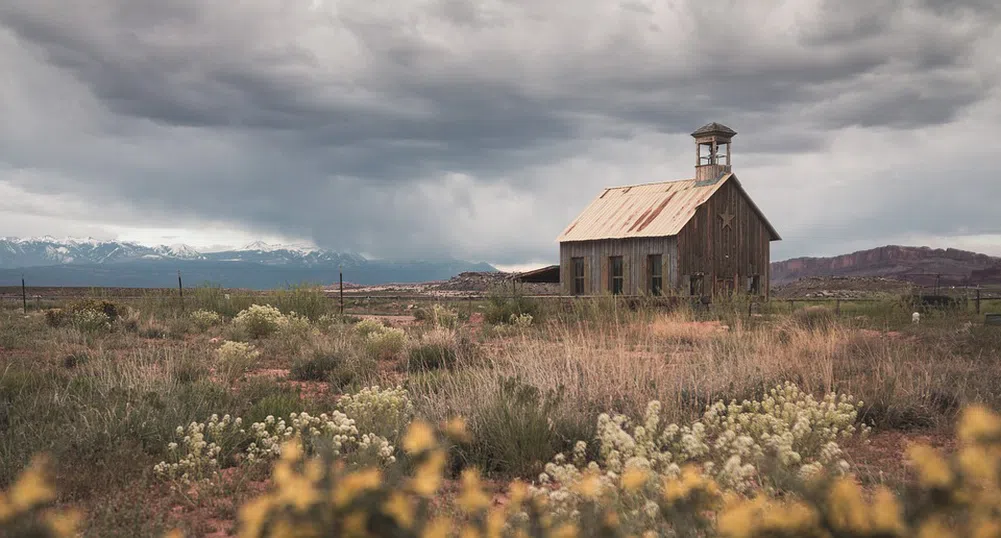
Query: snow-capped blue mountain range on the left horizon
[[259, 266]]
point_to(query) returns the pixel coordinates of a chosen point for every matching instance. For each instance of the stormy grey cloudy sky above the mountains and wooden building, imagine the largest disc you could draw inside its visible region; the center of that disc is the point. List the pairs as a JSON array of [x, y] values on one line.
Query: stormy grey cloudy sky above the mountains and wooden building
[[479, 130]]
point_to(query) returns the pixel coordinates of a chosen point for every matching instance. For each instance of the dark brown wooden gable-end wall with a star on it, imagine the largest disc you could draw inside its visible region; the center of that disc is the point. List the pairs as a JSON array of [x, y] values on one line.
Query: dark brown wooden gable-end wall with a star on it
[[725, 253]]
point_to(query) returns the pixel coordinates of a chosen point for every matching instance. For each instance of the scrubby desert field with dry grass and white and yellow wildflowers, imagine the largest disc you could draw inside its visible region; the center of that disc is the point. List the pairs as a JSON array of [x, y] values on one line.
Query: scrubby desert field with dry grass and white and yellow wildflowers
[[273, 414]]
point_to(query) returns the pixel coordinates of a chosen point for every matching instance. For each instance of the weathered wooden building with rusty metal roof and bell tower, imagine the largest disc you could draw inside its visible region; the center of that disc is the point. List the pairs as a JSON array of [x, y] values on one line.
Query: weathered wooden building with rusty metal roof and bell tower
[[699, 237]]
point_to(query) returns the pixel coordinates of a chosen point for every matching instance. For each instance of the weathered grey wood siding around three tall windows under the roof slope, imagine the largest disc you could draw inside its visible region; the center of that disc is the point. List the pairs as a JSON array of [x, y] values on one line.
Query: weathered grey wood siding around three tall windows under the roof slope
[[635, 271]]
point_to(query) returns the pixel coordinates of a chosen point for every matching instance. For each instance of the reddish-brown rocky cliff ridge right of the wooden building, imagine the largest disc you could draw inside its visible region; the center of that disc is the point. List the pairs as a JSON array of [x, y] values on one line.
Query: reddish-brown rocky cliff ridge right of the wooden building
[[919, 265]]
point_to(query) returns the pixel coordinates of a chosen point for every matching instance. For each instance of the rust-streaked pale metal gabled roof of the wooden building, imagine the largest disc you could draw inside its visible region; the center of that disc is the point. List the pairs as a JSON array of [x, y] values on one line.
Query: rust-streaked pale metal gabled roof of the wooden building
[[647, 211]]
